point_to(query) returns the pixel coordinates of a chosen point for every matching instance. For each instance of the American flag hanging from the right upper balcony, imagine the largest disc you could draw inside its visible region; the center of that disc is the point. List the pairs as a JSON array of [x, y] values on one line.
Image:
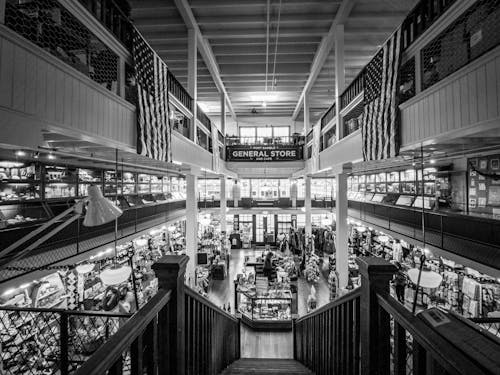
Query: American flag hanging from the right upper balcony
[[380, 121]]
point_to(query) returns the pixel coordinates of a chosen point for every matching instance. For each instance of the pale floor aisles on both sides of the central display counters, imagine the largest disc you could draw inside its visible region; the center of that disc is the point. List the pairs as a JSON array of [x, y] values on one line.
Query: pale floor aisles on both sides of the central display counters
[[221, 292]]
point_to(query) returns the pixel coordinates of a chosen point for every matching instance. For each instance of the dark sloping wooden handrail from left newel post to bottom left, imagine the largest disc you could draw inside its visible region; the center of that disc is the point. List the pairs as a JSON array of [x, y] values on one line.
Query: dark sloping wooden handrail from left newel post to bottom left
[[105, 357]]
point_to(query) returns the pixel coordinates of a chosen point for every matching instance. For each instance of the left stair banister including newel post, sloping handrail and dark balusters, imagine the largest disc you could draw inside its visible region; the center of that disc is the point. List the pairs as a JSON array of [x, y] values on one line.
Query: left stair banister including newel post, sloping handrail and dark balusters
[[176, 332]]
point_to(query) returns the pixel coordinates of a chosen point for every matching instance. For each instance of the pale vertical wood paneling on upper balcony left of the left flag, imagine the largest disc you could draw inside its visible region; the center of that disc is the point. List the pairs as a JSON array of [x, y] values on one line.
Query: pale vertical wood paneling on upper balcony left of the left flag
[[38, 84]]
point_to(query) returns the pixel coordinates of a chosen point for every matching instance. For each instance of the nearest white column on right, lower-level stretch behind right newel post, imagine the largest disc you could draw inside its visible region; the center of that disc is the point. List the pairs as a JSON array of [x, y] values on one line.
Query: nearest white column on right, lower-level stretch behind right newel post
[[342, 233]]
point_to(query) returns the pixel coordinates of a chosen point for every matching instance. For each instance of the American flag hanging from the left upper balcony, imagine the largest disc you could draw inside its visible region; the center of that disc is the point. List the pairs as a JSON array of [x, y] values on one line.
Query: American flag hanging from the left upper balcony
[[153, 129]]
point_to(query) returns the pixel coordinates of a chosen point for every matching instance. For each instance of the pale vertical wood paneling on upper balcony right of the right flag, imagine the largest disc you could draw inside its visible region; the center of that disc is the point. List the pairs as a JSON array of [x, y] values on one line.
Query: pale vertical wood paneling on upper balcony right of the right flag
[[468, 97]]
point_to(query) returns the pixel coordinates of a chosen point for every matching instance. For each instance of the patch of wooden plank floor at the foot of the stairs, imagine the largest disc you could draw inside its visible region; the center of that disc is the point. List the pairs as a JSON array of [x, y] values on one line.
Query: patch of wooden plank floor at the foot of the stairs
[[257, 344]]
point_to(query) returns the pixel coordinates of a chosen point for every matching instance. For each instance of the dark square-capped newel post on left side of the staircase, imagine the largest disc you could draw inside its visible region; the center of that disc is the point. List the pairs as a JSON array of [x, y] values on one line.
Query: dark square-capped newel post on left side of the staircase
[[170, 270]]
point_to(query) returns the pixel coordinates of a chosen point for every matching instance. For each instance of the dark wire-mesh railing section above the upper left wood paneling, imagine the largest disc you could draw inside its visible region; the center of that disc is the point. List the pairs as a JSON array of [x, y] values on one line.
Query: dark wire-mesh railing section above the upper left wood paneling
[[50, 26]]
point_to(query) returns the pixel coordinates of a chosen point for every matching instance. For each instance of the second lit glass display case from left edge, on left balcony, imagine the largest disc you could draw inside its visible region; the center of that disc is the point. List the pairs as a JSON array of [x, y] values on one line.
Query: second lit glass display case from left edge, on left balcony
[[60, 182]]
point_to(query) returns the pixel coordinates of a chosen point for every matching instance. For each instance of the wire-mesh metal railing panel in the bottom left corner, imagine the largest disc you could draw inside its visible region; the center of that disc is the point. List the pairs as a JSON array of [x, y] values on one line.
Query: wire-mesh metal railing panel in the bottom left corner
[[51, 341]]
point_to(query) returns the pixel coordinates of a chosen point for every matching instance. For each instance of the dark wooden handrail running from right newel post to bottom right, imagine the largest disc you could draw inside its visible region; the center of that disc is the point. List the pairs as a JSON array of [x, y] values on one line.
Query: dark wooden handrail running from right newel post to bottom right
[[447, 355]]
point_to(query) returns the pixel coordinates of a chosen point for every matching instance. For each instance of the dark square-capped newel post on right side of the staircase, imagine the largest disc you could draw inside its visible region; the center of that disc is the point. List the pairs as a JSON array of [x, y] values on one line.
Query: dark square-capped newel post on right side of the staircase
[[376, 274]]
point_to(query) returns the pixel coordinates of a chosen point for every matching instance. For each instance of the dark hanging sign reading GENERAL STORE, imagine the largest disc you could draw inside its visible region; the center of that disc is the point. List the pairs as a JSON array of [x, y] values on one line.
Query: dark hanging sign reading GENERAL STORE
[[242, 153]]
